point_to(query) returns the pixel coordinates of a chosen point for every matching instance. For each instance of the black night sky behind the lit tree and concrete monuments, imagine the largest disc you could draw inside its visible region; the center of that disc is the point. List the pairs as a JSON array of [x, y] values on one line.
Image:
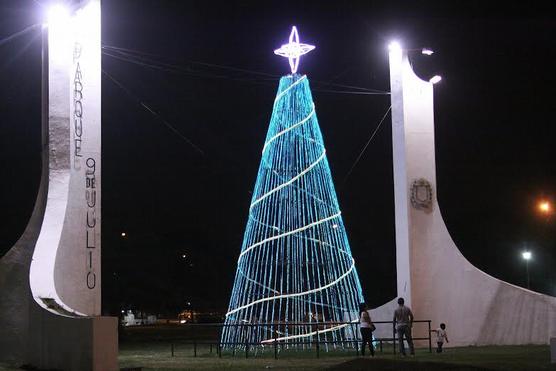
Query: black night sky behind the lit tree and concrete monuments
[[494, 112]]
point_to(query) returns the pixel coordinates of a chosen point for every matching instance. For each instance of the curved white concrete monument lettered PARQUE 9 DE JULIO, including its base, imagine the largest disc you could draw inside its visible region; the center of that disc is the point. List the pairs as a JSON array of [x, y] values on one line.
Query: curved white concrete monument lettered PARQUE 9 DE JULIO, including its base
[[50, 293]]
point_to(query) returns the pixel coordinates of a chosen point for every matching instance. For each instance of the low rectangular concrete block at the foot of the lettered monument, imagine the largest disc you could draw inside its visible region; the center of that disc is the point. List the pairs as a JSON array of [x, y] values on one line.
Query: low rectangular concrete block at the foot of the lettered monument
[[74, 344]]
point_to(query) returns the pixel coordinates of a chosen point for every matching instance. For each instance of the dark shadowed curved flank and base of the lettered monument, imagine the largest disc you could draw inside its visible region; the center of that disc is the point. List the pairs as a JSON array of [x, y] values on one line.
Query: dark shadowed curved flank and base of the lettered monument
[[31, 335]]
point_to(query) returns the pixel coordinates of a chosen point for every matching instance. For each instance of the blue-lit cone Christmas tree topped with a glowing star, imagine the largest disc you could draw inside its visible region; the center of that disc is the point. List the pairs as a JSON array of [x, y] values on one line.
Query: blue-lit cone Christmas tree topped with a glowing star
[[295, 264]]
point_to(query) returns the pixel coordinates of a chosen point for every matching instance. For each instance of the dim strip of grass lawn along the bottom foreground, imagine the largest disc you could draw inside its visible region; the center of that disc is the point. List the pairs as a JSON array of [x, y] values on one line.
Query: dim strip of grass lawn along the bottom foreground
[[157, 356]]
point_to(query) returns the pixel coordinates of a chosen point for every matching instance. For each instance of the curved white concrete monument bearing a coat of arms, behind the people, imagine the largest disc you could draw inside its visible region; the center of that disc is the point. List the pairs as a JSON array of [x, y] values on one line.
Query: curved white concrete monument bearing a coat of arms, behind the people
[[436, 280]]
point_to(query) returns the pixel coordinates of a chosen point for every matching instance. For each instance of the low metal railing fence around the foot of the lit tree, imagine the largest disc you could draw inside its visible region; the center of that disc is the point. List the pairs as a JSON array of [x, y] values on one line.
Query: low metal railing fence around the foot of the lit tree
[[314, 342]]
